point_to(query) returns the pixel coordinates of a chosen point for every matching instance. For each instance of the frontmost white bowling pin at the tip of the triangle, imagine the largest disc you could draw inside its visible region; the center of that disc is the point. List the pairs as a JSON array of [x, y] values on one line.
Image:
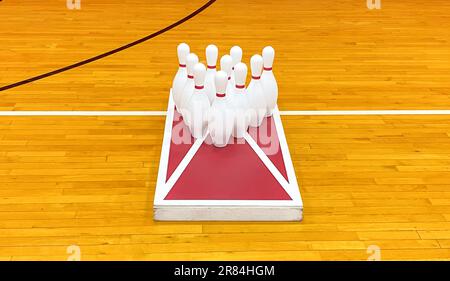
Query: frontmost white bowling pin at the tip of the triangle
[[220, 117]]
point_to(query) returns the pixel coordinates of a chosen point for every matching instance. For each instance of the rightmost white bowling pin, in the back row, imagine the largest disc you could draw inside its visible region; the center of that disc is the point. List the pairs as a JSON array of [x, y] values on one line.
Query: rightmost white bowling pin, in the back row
[[268, 81]]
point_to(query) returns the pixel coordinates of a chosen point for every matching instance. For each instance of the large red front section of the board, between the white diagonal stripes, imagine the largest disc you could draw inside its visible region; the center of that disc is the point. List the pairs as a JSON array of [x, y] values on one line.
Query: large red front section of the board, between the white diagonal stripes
[[234, 172]]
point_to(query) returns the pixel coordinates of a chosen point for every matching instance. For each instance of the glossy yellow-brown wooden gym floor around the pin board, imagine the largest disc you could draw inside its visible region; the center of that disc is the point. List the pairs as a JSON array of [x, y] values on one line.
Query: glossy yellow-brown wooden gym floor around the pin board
[[380, 180]]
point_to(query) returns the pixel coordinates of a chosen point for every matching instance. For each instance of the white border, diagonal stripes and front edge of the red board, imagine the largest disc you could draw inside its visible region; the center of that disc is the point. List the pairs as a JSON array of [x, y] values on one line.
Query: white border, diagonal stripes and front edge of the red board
[[224, 209]]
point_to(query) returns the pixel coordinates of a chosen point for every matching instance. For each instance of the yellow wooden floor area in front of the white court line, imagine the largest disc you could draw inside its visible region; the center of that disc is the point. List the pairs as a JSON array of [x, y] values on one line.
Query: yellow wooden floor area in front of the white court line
[[89, 181]]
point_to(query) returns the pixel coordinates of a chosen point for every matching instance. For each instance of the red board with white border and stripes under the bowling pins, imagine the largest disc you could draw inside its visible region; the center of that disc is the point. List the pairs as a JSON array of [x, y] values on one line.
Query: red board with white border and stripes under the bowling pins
[[251, 179]]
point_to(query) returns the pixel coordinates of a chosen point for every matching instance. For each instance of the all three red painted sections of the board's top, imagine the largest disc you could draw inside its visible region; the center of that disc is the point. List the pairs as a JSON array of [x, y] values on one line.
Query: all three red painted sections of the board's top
[[234, 172]]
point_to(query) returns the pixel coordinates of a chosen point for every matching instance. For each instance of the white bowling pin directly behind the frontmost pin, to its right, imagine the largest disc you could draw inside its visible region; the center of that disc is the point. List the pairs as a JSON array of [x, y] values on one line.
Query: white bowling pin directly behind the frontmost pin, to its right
[[239, 102]]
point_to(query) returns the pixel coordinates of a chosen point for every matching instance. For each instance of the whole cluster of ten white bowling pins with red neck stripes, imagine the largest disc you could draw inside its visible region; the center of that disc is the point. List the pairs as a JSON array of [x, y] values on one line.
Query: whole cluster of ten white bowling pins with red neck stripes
[[218, 102]]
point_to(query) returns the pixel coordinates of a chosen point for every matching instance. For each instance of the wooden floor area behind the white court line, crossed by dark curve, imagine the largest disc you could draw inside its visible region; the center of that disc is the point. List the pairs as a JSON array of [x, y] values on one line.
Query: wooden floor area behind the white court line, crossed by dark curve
[[329, 55]]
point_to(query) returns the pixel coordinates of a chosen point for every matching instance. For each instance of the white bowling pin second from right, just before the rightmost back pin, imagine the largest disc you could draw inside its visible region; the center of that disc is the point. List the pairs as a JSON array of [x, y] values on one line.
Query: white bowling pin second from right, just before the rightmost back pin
[[256, 98]]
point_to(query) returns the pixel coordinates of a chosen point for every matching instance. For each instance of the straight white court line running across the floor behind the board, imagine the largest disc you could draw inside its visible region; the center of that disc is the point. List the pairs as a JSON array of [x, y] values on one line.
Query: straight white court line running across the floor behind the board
[[163, 113]]
